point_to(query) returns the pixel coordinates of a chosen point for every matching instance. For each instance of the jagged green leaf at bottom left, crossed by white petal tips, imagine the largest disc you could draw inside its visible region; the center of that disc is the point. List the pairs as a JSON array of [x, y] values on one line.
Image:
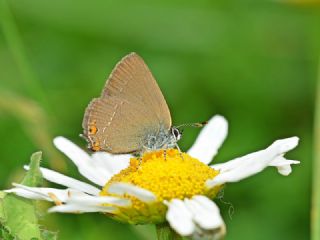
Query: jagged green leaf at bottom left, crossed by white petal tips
[[18, 216]]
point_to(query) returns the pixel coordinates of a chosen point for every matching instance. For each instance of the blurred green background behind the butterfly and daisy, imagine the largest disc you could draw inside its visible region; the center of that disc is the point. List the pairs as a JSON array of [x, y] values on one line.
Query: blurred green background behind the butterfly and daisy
[[255, 62]]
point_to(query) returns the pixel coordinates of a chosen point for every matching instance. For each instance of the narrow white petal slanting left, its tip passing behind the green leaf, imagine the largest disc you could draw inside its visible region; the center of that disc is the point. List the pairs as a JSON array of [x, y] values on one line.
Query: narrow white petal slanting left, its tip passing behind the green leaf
[[69, 182]]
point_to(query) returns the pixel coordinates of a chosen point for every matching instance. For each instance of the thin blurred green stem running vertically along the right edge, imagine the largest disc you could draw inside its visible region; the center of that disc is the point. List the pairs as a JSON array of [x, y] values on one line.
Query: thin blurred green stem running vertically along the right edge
[[315, 210]]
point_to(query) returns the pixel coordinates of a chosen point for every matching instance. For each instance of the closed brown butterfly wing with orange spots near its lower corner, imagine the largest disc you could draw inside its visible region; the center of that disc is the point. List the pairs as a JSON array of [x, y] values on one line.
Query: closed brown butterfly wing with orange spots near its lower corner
[[131, 105]]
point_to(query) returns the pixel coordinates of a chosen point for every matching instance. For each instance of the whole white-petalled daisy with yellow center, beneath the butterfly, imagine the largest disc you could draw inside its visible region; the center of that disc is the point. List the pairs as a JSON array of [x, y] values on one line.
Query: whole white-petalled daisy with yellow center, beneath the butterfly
[[177, 188]]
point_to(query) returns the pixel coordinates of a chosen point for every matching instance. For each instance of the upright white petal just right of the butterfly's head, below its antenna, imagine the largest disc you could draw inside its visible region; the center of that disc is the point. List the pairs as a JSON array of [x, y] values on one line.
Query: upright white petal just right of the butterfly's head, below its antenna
[[210, 139]]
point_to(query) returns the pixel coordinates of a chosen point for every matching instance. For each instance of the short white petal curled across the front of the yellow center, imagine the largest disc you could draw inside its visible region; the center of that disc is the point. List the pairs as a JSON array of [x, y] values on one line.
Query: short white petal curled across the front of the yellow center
[[130, 189]]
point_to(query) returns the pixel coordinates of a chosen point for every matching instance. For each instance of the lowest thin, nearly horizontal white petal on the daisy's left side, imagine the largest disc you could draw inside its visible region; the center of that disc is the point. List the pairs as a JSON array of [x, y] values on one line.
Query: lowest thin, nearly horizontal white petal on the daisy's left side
[[78, 208]]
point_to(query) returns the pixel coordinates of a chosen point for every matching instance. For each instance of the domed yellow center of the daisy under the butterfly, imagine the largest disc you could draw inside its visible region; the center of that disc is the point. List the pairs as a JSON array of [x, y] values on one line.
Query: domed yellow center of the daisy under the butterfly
[[167, 175]]
